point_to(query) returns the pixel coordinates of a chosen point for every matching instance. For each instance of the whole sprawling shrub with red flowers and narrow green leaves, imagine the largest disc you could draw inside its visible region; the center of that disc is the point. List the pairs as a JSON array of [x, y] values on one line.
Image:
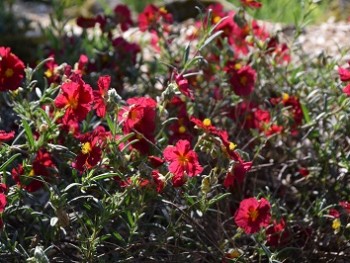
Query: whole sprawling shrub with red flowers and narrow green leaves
[[216, 142]]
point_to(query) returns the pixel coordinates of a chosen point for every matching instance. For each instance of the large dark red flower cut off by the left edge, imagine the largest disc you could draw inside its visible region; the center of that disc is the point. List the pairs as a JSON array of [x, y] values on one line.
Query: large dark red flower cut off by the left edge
[[11, 70]]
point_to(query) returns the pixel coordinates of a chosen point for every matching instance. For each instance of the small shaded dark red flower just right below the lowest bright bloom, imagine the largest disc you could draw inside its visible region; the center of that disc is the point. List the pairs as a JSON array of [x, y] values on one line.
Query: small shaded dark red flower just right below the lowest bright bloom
[[276, 234]]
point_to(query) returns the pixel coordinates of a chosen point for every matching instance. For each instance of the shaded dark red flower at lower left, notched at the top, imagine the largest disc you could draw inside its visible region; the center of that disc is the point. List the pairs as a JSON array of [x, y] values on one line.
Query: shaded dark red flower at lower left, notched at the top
[[41, 166]]
